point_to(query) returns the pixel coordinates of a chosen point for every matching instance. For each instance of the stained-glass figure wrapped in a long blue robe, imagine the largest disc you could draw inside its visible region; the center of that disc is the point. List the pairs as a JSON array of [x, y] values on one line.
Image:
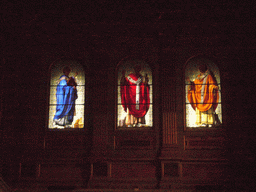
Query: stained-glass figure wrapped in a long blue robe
[[66, 94]]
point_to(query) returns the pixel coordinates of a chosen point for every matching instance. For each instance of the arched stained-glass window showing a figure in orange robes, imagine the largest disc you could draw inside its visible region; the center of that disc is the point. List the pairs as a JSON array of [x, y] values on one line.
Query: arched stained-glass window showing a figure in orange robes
[[203, 93]]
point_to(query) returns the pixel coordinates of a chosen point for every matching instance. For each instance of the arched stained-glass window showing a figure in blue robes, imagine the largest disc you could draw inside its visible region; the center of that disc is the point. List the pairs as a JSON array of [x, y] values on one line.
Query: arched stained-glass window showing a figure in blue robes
[[67, 95]]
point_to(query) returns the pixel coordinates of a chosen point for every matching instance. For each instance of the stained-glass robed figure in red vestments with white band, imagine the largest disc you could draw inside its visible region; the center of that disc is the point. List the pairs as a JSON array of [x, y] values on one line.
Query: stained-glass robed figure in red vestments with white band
[[135, 97]]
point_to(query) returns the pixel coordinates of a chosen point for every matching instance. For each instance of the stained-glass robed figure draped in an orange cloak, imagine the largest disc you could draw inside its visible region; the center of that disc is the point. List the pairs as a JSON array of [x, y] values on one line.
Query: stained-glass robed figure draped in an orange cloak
[[203, 96]]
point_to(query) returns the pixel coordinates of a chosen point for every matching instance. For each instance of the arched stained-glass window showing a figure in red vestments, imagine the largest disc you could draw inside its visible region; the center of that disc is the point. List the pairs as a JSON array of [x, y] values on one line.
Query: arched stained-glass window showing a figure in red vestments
[[134, 96]]
